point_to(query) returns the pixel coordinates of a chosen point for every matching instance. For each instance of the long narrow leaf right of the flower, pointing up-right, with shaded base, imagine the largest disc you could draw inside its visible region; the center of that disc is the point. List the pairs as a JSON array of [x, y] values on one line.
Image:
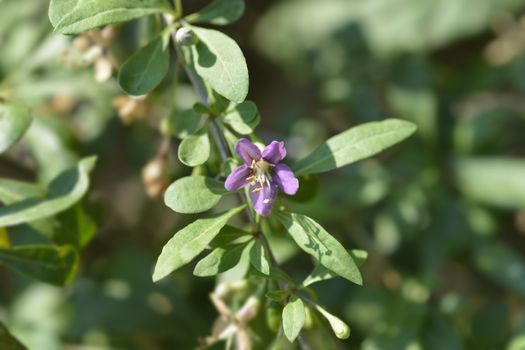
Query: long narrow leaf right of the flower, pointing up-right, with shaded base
[[354, 144]]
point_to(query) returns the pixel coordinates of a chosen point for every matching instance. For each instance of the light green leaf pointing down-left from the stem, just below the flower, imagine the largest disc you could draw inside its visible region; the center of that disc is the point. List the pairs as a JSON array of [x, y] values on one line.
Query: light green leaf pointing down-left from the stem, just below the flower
[[190, 242]]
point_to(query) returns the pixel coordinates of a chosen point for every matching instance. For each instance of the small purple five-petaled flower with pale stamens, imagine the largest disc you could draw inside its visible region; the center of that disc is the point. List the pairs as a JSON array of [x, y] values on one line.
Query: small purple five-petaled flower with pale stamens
[[263, 173]]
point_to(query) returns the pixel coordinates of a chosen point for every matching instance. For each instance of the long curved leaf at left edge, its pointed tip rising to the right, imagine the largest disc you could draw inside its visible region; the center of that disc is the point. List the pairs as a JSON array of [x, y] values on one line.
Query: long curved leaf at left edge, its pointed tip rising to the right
[[64, 191]]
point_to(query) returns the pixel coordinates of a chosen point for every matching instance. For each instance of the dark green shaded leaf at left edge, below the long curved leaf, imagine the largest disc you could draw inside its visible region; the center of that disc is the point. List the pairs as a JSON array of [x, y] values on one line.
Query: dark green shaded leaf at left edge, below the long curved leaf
[[56, 265]]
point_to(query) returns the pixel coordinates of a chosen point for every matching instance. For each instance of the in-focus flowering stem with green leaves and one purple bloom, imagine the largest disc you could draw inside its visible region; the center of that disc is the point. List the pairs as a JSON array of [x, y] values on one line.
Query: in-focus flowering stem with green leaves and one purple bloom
[[219, 143]]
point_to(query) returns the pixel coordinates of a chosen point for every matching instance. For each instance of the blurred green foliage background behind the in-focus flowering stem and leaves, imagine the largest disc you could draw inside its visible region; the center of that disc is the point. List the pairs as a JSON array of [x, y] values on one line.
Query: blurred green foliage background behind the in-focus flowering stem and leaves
[[442, 214]]
